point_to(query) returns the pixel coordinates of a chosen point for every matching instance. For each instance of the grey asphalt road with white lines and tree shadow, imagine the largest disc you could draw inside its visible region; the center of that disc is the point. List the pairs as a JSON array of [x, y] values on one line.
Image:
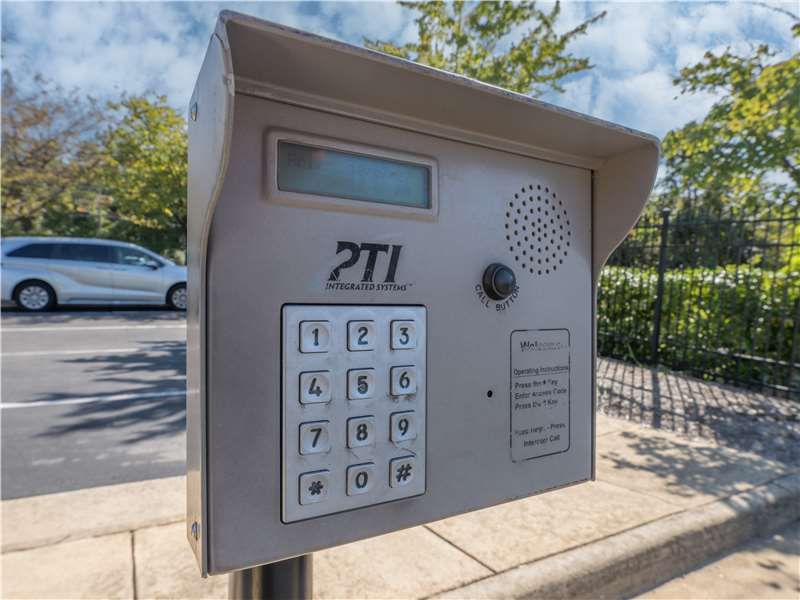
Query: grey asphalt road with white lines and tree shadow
[[91, 398]]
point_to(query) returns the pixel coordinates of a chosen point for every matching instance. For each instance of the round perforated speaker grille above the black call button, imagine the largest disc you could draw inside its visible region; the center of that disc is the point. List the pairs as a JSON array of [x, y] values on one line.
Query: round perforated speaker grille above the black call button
[[538, 229]]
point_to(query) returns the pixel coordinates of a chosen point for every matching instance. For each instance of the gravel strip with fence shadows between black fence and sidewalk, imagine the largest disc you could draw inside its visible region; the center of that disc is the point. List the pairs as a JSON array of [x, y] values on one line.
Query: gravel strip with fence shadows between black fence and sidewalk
[[697, 409]]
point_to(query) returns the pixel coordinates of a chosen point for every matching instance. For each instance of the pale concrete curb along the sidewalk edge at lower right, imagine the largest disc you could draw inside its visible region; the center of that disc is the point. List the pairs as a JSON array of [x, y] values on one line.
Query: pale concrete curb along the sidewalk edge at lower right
[[631, 562]]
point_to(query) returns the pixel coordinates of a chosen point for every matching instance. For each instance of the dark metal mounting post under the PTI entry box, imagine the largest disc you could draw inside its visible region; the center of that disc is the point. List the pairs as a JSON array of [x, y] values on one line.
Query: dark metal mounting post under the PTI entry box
[[290, 579]]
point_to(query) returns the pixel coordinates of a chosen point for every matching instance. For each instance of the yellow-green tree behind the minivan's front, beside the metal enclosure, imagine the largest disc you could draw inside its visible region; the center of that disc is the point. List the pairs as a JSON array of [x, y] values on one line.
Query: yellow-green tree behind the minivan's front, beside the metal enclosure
[[145, 171]]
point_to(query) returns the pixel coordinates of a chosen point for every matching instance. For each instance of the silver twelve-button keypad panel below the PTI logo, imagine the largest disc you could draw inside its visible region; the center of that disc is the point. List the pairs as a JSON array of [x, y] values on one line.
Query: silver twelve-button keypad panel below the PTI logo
[[354, 405]]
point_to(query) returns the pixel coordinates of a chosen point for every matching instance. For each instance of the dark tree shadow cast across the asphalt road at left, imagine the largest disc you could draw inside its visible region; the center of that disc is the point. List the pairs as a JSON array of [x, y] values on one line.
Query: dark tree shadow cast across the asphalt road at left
[[141, 419]]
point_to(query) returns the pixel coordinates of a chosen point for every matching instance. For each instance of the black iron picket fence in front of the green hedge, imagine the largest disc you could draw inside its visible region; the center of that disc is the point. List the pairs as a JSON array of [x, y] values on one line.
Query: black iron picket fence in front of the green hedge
[[716, 294]]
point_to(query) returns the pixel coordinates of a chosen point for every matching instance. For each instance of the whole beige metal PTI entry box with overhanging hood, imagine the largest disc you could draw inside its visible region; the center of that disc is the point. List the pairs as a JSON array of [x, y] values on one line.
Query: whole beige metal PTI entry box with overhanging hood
[[503, 390]]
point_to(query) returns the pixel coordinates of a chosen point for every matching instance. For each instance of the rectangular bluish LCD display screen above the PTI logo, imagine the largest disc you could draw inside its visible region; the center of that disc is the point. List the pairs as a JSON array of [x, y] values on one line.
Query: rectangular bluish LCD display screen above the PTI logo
[[326, 172]]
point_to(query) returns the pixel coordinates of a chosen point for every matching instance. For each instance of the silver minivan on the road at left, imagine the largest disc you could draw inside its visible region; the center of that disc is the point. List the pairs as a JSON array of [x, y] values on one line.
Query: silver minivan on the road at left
[[39, 273]]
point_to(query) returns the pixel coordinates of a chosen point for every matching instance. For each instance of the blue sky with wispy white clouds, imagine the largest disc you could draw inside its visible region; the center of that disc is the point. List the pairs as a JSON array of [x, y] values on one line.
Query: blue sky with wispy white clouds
[[109, 48]]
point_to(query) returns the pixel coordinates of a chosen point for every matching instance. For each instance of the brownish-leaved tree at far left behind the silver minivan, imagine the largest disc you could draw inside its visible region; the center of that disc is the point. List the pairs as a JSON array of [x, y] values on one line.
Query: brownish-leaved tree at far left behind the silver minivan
[[50, 151]]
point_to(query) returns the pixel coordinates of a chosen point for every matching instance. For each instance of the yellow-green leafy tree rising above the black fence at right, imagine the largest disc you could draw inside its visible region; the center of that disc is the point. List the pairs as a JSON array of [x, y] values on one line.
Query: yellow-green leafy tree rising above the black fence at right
[[747, 148]]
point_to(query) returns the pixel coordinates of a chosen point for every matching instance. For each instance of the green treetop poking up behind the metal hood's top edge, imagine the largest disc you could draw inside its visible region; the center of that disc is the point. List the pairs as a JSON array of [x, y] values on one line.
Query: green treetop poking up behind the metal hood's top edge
[[471, 39]]
